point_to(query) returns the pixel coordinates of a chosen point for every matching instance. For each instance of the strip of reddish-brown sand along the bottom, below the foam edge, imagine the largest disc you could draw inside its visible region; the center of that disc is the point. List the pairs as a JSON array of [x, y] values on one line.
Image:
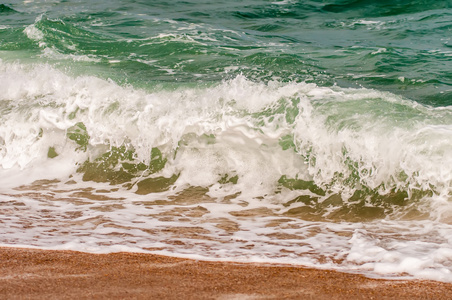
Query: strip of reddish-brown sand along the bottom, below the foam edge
[[41, 274]]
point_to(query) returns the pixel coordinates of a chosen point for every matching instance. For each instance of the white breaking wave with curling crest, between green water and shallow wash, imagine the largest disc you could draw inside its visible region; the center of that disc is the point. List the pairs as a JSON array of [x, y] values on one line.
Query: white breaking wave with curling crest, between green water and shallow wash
[[269, 136]]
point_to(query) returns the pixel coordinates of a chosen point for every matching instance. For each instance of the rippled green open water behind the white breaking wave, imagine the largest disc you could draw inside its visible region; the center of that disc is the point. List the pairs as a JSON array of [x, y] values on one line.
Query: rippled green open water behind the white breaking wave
[[399, 46]]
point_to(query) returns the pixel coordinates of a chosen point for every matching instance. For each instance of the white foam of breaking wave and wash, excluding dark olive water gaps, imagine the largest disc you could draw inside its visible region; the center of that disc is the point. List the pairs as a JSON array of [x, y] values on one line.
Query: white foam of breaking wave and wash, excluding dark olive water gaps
[[237, 128]]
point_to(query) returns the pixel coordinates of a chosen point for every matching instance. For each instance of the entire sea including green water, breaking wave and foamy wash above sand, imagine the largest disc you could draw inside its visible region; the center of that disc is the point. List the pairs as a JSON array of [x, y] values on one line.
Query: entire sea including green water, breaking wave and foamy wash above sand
[[305, 132]]
